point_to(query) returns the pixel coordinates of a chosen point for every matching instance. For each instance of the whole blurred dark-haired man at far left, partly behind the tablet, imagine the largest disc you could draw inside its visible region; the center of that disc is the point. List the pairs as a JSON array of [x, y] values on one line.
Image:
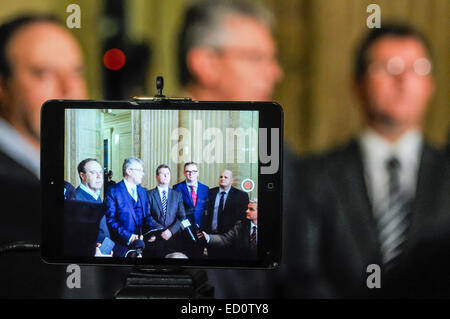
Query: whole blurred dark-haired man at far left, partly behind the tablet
[[39, 60]]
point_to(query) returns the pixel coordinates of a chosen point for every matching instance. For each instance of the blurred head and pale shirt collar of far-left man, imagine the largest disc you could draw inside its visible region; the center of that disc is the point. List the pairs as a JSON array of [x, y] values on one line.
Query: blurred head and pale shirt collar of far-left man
[[39, 60]]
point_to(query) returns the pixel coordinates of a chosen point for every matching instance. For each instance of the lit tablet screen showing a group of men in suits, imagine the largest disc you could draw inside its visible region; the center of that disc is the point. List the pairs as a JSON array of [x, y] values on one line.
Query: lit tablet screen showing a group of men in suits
[[161, 214]]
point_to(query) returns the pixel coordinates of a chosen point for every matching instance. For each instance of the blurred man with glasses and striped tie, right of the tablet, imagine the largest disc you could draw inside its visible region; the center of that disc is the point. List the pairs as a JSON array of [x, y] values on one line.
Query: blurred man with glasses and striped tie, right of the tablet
[[378, 199]]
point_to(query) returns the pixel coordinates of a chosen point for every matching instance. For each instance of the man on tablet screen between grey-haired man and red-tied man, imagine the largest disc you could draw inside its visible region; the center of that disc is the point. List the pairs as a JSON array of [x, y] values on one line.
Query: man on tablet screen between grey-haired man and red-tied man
[[167, 210]]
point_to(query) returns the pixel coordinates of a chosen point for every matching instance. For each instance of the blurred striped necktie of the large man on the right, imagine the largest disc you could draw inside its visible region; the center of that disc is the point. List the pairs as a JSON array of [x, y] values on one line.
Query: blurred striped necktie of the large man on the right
[[393, 216]]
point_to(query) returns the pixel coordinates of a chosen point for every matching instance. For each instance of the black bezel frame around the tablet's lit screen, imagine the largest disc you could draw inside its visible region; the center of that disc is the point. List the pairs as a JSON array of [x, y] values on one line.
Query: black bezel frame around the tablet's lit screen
[[52, 178]]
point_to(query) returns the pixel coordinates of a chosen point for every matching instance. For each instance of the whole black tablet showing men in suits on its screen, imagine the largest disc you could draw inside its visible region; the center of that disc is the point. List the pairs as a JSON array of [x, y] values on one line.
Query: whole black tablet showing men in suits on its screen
[[162, 182]]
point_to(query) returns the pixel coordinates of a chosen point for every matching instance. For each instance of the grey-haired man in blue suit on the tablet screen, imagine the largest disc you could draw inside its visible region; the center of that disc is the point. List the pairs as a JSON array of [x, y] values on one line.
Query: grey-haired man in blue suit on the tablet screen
[[127, 208]]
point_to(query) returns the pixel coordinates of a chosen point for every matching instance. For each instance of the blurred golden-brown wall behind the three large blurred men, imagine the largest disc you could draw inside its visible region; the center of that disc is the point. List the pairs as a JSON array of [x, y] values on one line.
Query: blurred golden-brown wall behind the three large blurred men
[[316, 42]]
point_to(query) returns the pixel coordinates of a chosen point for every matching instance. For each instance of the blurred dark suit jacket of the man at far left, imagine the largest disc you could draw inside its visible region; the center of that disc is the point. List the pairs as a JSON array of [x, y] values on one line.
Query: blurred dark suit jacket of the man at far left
[[24, 274]]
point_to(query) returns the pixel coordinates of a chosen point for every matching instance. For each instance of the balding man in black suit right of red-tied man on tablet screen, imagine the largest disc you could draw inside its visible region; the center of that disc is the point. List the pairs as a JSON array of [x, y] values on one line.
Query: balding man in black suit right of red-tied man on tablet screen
[[226, 206]]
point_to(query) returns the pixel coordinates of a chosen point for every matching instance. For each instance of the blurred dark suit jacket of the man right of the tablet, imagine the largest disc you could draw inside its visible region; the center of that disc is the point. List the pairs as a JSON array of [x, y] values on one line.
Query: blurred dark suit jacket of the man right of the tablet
[[340, 238]]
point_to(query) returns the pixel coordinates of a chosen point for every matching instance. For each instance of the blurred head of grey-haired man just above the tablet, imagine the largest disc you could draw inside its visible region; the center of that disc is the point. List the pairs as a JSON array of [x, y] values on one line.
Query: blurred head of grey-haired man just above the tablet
[[227, 52]]
